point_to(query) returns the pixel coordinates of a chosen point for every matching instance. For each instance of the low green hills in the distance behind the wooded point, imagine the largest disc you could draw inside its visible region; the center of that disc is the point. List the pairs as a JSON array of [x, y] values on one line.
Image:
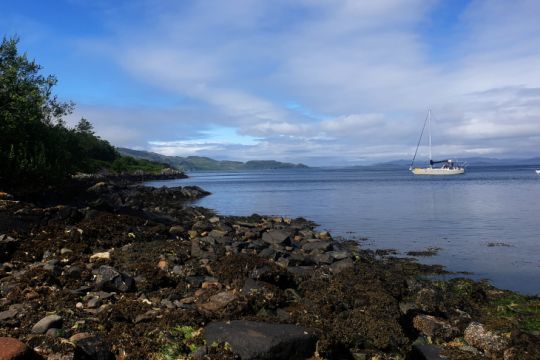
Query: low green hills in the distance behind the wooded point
[[194, 163]]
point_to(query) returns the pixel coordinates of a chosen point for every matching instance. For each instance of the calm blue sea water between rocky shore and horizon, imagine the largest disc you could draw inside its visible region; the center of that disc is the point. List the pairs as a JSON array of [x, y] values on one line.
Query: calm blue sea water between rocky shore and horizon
[[461, 215]]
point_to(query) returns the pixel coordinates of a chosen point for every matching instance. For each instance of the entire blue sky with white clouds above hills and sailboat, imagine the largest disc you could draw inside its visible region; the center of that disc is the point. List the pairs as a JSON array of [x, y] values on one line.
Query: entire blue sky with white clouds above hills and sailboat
[[322, 82]]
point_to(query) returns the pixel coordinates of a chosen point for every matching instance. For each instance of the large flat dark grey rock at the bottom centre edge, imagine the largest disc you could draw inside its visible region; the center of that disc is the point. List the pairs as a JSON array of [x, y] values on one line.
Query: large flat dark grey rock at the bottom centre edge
[[258, 340]]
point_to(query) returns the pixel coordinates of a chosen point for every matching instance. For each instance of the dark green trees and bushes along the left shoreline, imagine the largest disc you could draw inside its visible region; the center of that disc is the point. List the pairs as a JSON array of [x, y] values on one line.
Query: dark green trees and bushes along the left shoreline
[[36, 144]]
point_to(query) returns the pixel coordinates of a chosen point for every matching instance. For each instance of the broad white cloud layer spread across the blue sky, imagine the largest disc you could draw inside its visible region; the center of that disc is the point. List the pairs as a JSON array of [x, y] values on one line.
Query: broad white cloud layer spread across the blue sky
[[368, 66]]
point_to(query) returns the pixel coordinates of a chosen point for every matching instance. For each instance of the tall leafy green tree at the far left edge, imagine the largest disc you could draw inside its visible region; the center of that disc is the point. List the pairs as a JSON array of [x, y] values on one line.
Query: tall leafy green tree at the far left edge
[[34, 143]]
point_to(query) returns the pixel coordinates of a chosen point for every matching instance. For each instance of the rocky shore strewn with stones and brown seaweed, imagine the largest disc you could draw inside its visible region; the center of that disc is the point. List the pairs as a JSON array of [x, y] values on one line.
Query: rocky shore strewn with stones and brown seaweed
[[109, 269]]
